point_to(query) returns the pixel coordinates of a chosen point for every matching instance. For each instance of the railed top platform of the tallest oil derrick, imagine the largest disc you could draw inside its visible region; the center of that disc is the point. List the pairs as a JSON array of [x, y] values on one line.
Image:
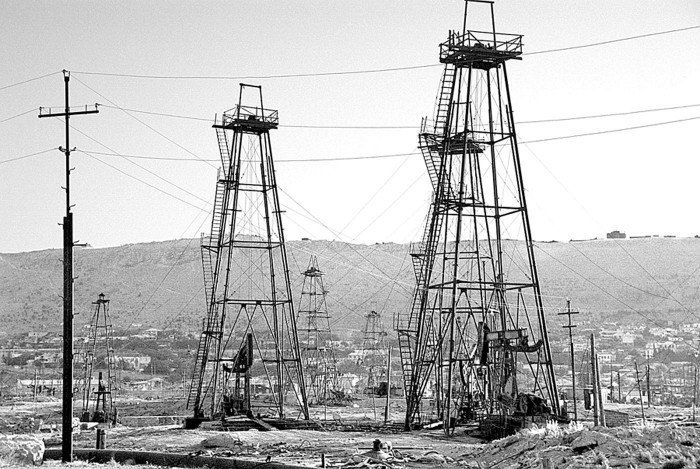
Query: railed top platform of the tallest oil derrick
[[480, 49]]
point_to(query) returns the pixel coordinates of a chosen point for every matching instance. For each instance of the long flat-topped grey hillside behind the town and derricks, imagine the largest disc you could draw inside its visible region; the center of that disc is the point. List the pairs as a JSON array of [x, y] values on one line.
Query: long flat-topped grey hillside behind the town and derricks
[[160, 284]]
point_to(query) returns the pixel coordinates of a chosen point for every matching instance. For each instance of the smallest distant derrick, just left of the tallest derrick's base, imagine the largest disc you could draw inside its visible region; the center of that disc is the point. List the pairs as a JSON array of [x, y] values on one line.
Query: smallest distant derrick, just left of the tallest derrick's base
[[374, 352]]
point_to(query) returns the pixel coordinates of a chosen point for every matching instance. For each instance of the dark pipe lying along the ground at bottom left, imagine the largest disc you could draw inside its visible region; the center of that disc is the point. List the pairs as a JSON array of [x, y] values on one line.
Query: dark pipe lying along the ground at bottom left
[[167, 459]]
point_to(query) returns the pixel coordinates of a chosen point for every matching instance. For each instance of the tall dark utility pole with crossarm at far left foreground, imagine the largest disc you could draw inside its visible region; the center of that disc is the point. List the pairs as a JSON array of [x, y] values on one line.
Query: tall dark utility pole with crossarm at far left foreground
[[67, 413]]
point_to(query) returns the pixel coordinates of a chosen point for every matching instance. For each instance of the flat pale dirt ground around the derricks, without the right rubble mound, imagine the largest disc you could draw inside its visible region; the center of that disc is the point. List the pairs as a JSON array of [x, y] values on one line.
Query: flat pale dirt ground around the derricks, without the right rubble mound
[[427, 448]]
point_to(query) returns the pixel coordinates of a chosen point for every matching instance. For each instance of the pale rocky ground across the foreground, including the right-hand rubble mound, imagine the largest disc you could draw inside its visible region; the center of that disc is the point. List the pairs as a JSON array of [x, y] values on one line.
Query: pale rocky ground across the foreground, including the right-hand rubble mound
[[665, 439]]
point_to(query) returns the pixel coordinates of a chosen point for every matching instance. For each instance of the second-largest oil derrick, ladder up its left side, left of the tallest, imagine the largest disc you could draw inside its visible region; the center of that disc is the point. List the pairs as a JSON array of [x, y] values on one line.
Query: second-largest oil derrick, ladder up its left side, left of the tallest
[[250, 328]]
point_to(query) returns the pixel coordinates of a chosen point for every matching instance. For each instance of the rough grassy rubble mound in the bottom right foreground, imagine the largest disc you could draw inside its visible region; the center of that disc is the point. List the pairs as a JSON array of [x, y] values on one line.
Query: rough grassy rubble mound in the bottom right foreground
[[666, 446]]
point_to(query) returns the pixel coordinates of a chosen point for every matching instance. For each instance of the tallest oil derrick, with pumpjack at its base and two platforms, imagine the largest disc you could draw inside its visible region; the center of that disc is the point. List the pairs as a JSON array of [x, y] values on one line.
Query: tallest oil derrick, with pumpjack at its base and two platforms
[[476, 334]]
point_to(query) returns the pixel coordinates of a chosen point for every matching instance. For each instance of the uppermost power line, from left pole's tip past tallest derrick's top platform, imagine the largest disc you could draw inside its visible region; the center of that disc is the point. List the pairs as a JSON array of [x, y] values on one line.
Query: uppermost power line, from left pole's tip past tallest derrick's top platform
[[366, 71]]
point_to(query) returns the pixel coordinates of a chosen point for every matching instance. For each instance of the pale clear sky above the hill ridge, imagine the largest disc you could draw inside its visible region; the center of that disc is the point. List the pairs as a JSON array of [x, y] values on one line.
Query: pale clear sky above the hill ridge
[[362, 185]]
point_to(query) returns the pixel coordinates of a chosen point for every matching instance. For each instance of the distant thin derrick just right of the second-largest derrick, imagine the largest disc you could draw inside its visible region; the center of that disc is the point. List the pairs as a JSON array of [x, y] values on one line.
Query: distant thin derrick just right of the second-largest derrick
[[317, 353]]
